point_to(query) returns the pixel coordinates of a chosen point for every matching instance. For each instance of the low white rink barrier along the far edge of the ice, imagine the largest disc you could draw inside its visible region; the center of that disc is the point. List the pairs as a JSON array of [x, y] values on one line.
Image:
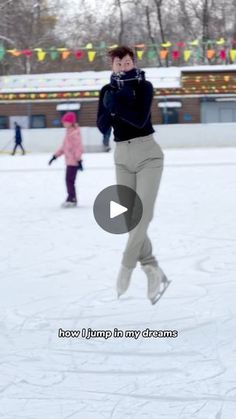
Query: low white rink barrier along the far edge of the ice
[[168, 136]]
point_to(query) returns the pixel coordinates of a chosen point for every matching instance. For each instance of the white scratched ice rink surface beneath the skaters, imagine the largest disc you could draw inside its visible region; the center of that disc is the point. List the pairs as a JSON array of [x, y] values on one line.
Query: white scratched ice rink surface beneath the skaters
[[58, 270]]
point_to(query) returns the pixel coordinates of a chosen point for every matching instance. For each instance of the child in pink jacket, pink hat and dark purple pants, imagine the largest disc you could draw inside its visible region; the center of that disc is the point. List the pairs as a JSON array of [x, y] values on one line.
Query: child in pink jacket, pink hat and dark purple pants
[[72, 148]]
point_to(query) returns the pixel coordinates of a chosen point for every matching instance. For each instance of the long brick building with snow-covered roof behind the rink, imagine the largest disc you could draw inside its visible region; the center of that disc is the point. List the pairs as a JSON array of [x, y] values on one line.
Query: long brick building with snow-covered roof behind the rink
[[189, 95]]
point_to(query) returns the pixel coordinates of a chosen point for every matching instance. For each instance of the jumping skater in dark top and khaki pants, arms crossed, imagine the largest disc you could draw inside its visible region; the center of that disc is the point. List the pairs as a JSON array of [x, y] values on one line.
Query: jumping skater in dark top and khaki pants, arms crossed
[[125, 104]]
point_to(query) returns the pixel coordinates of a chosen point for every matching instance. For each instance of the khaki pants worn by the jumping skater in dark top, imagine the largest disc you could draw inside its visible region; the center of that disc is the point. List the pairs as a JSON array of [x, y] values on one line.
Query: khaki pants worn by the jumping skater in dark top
[[139, 165]]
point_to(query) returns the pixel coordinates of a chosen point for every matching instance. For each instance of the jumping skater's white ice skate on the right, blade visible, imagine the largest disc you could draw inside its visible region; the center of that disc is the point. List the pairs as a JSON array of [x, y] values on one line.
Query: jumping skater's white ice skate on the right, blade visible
[[156, 278]]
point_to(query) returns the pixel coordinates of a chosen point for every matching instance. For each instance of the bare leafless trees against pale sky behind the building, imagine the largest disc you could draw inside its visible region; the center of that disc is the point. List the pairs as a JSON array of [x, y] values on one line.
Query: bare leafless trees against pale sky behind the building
[[41, 23]]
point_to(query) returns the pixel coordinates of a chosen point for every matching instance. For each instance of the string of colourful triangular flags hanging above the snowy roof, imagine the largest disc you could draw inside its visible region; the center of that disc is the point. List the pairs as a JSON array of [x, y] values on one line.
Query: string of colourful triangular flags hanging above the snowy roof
[[220, 49]]
